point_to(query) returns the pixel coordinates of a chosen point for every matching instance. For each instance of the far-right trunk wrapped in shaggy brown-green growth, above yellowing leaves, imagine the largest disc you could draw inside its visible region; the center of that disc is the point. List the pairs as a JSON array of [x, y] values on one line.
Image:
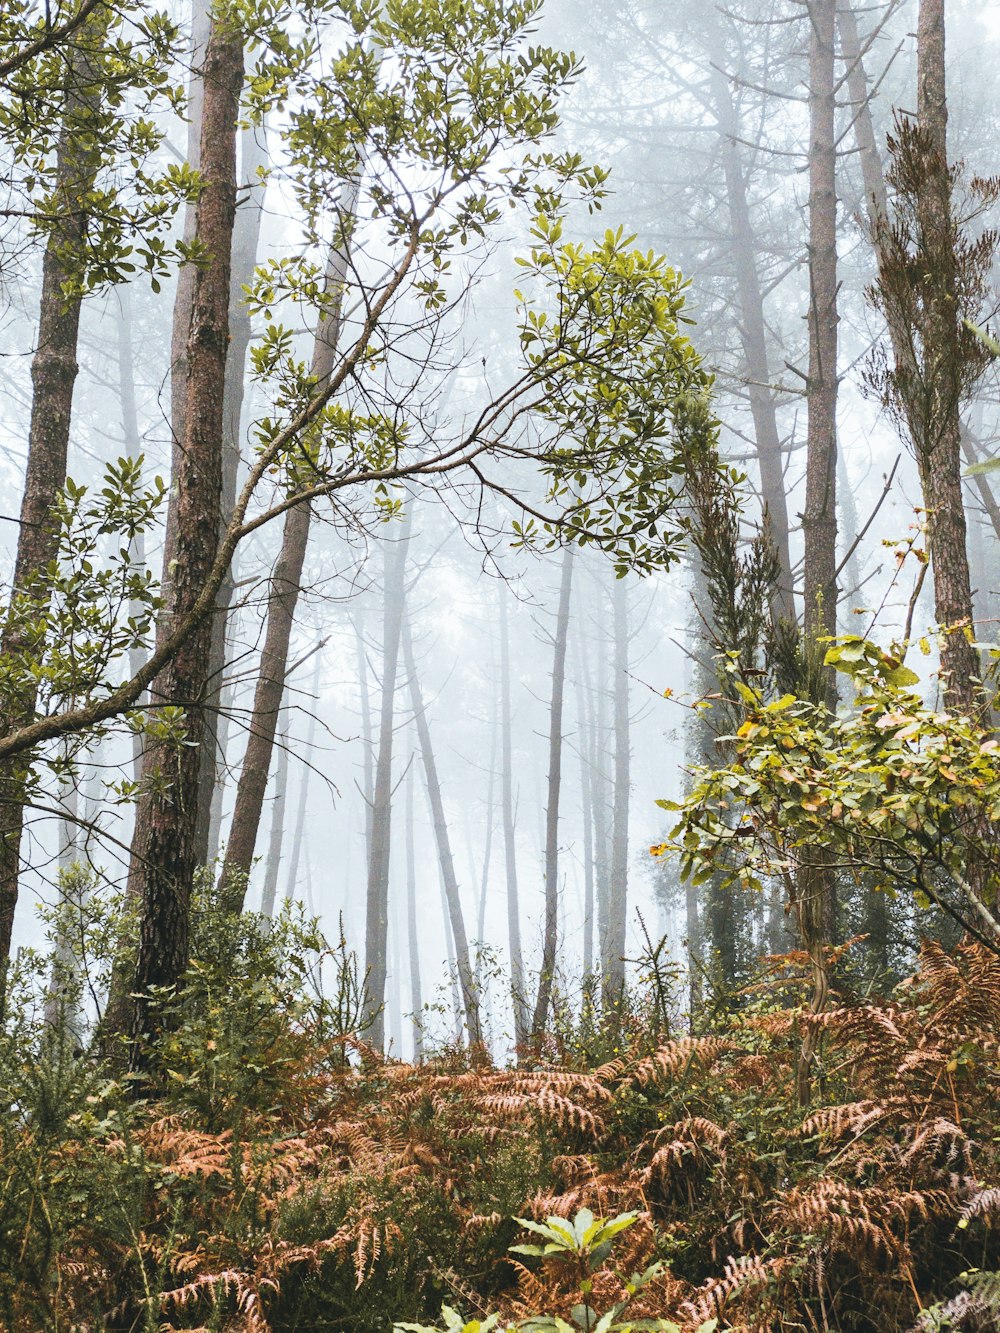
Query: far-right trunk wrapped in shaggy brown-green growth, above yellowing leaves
[[933, 275]]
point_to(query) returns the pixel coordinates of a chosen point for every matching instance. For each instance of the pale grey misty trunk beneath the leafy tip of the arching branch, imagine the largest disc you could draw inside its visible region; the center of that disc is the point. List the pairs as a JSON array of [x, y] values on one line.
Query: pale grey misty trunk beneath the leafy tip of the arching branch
[[614, 962]]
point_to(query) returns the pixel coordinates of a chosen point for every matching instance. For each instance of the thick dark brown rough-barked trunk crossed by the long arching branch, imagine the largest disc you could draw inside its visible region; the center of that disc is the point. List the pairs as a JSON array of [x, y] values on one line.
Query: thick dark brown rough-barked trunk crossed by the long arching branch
[[163, 846]]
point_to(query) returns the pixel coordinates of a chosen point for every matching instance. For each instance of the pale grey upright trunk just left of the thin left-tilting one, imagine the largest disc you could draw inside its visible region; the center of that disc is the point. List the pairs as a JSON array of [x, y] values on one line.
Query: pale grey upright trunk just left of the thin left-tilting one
[[378, 896]]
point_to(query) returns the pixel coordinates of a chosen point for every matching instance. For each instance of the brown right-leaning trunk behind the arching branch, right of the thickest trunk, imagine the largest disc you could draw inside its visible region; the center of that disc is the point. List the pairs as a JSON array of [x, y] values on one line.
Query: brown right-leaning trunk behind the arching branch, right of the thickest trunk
[[283, 599]]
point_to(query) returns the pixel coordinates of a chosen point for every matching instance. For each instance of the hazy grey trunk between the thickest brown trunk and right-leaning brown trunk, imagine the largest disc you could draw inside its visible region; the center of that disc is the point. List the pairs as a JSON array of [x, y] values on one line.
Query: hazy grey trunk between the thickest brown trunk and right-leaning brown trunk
[[245, 259]]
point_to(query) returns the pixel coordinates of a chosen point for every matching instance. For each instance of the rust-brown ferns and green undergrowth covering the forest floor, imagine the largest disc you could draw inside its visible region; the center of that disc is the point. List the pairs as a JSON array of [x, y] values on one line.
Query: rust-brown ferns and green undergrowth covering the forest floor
[[285, 1178]]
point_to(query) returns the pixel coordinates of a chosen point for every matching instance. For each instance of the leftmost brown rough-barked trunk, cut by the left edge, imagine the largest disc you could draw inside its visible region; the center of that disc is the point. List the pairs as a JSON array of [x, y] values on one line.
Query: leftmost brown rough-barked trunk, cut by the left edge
[[54, 377]]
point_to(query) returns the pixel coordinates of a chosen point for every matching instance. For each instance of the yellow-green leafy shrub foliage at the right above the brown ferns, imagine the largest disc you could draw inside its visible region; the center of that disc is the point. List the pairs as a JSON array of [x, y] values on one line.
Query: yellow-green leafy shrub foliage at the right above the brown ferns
[[895, 787]]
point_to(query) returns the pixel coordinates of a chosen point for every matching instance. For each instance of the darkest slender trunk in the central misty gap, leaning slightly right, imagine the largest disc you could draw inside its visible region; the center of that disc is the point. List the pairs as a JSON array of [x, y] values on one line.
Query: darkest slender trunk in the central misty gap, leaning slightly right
[[550, 940]]
